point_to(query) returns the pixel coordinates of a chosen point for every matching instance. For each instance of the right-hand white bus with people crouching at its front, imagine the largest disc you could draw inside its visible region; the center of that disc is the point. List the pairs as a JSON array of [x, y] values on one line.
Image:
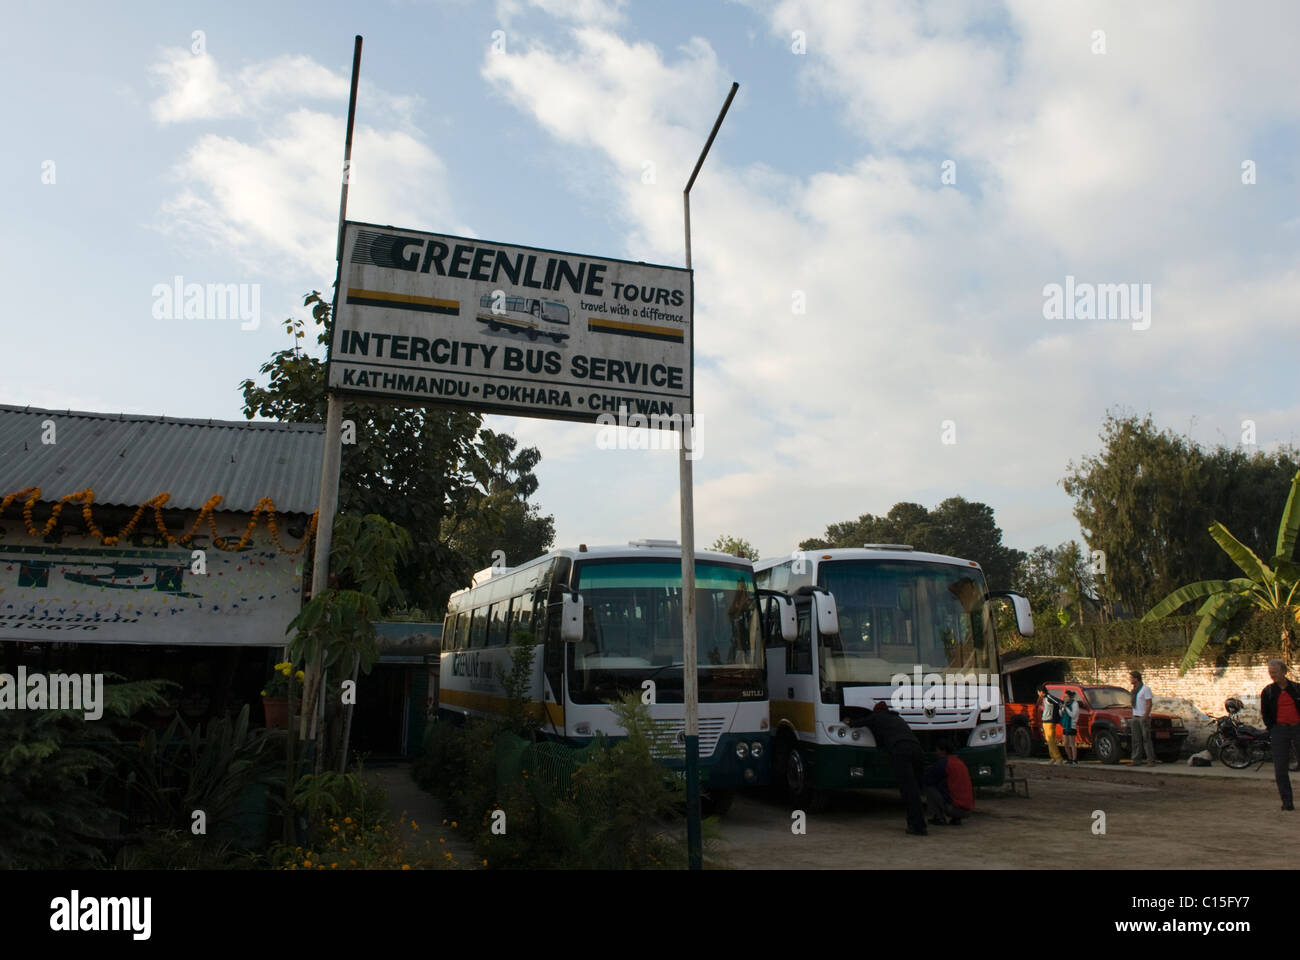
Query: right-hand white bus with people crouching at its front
[[887, 624]]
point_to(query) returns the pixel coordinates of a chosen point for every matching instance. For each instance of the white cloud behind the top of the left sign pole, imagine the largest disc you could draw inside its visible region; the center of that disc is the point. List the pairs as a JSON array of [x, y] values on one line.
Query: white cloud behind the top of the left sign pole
[[271, 196]]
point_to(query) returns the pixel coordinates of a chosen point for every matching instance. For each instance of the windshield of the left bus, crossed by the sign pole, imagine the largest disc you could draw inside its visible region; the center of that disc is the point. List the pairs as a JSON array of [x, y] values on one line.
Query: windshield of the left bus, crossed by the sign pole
[[632, 632]]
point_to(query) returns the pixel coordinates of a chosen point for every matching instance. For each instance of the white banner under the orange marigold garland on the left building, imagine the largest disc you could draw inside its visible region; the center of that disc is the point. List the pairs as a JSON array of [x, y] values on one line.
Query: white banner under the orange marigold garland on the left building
[[80, 591]]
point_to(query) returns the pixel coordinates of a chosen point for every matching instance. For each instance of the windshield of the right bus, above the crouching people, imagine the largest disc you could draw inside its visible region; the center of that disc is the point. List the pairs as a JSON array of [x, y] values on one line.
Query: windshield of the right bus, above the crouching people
[[896, 616]]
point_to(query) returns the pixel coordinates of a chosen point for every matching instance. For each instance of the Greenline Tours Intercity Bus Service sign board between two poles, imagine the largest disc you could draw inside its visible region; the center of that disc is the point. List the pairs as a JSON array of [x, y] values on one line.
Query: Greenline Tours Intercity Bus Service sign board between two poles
[[428, 319]]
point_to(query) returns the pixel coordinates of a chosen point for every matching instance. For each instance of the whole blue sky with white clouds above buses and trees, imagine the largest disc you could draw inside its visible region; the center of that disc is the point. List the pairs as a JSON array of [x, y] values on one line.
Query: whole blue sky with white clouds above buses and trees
[[895, 189]]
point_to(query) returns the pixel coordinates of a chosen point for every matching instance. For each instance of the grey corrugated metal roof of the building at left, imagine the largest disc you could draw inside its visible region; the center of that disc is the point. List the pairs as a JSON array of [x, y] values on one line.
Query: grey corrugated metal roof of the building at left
[[127, 459]]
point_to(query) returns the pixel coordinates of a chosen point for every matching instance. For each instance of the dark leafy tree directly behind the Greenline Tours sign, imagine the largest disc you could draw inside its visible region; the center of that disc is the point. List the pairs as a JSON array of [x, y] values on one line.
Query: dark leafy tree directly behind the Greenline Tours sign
[[431, 472]]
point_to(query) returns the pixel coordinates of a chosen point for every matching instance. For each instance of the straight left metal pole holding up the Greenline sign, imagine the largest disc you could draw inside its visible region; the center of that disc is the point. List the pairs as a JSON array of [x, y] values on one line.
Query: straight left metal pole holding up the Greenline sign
[[328, 505]]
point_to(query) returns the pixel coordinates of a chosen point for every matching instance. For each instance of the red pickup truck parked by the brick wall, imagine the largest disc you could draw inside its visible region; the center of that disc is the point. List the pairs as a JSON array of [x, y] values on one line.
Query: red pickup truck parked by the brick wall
[[1106, 715]]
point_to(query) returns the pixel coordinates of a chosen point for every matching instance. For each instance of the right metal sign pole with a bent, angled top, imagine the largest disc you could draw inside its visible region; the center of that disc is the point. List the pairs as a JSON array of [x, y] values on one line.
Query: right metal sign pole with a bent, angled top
[[691, 674]]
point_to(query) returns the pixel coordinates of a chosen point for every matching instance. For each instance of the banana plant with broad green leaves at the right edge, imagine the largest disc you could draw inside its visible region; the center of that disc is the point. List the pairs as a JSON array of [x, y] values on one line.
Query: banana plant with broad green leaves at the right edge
[[1264, 587]]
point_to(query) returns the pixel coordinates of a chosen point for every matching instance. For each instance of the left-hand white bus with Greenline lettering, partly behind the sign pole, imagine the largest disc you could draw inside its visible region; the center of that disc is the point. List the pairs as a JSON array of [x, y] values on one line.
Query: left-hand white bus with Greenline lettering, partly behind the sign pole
[[606, 621]]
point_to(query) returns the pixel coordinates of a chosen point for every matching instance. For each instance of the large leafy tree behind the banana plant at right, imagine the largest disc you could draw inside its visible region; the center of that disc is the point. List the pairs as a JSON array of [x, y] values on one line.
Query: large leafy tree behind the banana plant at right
[[1147, 499]]
